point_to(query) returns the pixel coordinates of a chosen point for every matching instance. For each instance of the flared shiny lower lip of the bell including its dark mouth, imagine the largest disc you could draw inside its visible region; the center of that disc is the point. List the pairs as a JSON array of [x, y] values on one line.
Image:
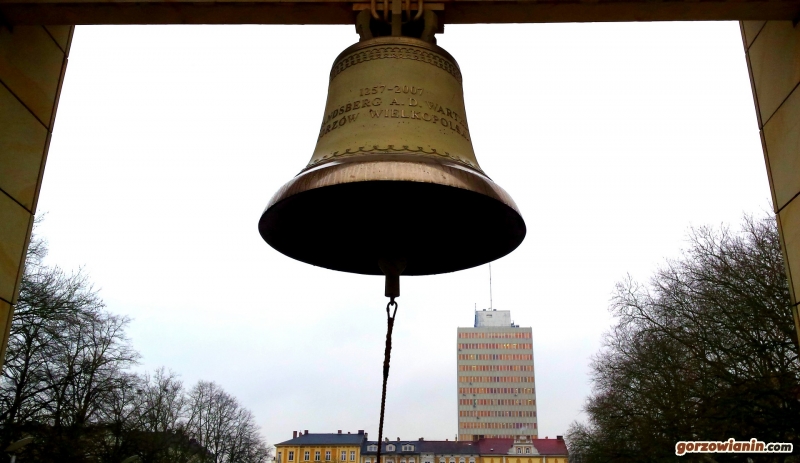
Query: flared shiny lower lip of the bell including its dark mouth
[[347, 215]]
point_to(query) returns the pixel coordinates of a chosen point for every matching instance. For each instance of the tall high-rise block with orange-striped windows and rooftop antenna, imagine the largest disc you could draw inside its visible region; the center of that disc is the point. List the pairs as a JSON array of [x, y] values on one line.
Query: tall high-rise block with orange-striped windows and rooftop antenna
[[496, 392]]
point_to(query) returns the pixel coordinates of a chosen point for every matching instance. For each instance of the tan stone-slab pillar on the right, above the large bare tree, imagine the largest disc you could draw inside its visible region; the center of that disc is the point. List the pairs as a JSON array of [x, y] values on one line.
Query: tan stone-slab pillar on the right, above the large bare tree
[[772, 49]]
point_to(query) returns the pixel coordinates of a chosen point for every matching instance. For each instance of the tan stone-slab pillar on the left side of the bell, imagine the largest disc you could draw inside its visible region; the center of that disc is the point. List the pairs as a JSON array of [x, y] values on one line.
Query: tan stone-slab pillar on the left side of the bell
[[33, 60]]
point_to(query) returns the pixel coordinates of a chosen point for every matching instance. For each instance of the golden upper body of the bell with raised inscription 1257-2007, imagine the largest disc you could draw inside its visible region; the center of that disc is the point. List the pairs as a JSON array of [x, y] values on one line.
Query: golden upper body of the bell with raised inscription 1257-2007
[[408, 98]]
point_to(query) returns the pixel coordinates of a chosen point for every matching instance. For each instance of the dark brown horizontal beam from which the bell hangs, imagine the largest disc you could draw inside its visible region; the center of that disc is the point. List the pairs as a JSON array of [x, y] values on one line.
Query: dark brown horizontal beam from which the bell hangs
[[341, 12]]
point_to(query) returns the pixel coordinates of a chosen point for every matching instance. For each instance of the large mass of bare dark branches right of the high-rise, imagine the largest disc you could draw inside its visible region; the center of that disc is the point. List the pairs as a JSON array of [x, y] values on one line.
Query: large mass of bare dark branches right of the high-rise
[[706, 351]]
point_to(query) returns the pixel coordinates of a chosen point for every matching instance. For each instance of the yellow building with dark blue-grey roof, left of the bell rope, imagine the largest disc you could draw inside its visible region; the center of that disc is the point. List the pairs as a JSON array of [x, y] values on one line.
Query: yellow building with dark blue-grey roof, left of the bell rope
[[321, 448]]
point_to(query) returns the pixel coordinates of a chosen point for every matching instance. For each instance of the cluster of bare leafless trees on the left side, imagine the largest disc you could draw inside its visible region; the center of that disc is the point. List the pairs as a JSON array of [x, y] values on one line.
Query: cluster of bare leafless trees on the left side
[[66, 381]]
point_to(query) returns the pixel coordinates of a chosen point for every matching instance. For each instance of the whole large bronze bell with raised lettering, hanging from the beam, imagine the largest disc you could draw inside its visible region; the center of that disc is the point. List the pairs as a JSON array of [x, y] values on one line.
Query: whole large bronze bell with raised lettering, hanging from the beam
[[393, 177]]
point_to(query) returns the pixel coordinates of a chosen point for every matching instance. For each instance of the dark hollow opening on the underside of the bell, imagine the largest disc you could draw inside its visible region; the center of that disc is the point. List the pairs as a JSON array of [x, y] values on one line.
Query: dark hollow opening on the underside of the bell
[[326, 227]]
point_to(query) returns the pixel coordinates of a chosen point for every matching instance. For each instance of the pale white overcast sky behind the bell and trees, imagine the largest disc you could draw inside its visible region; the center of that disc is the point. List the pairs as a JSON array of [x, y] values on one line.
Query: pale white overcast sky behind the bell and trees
[[612, 138]]
